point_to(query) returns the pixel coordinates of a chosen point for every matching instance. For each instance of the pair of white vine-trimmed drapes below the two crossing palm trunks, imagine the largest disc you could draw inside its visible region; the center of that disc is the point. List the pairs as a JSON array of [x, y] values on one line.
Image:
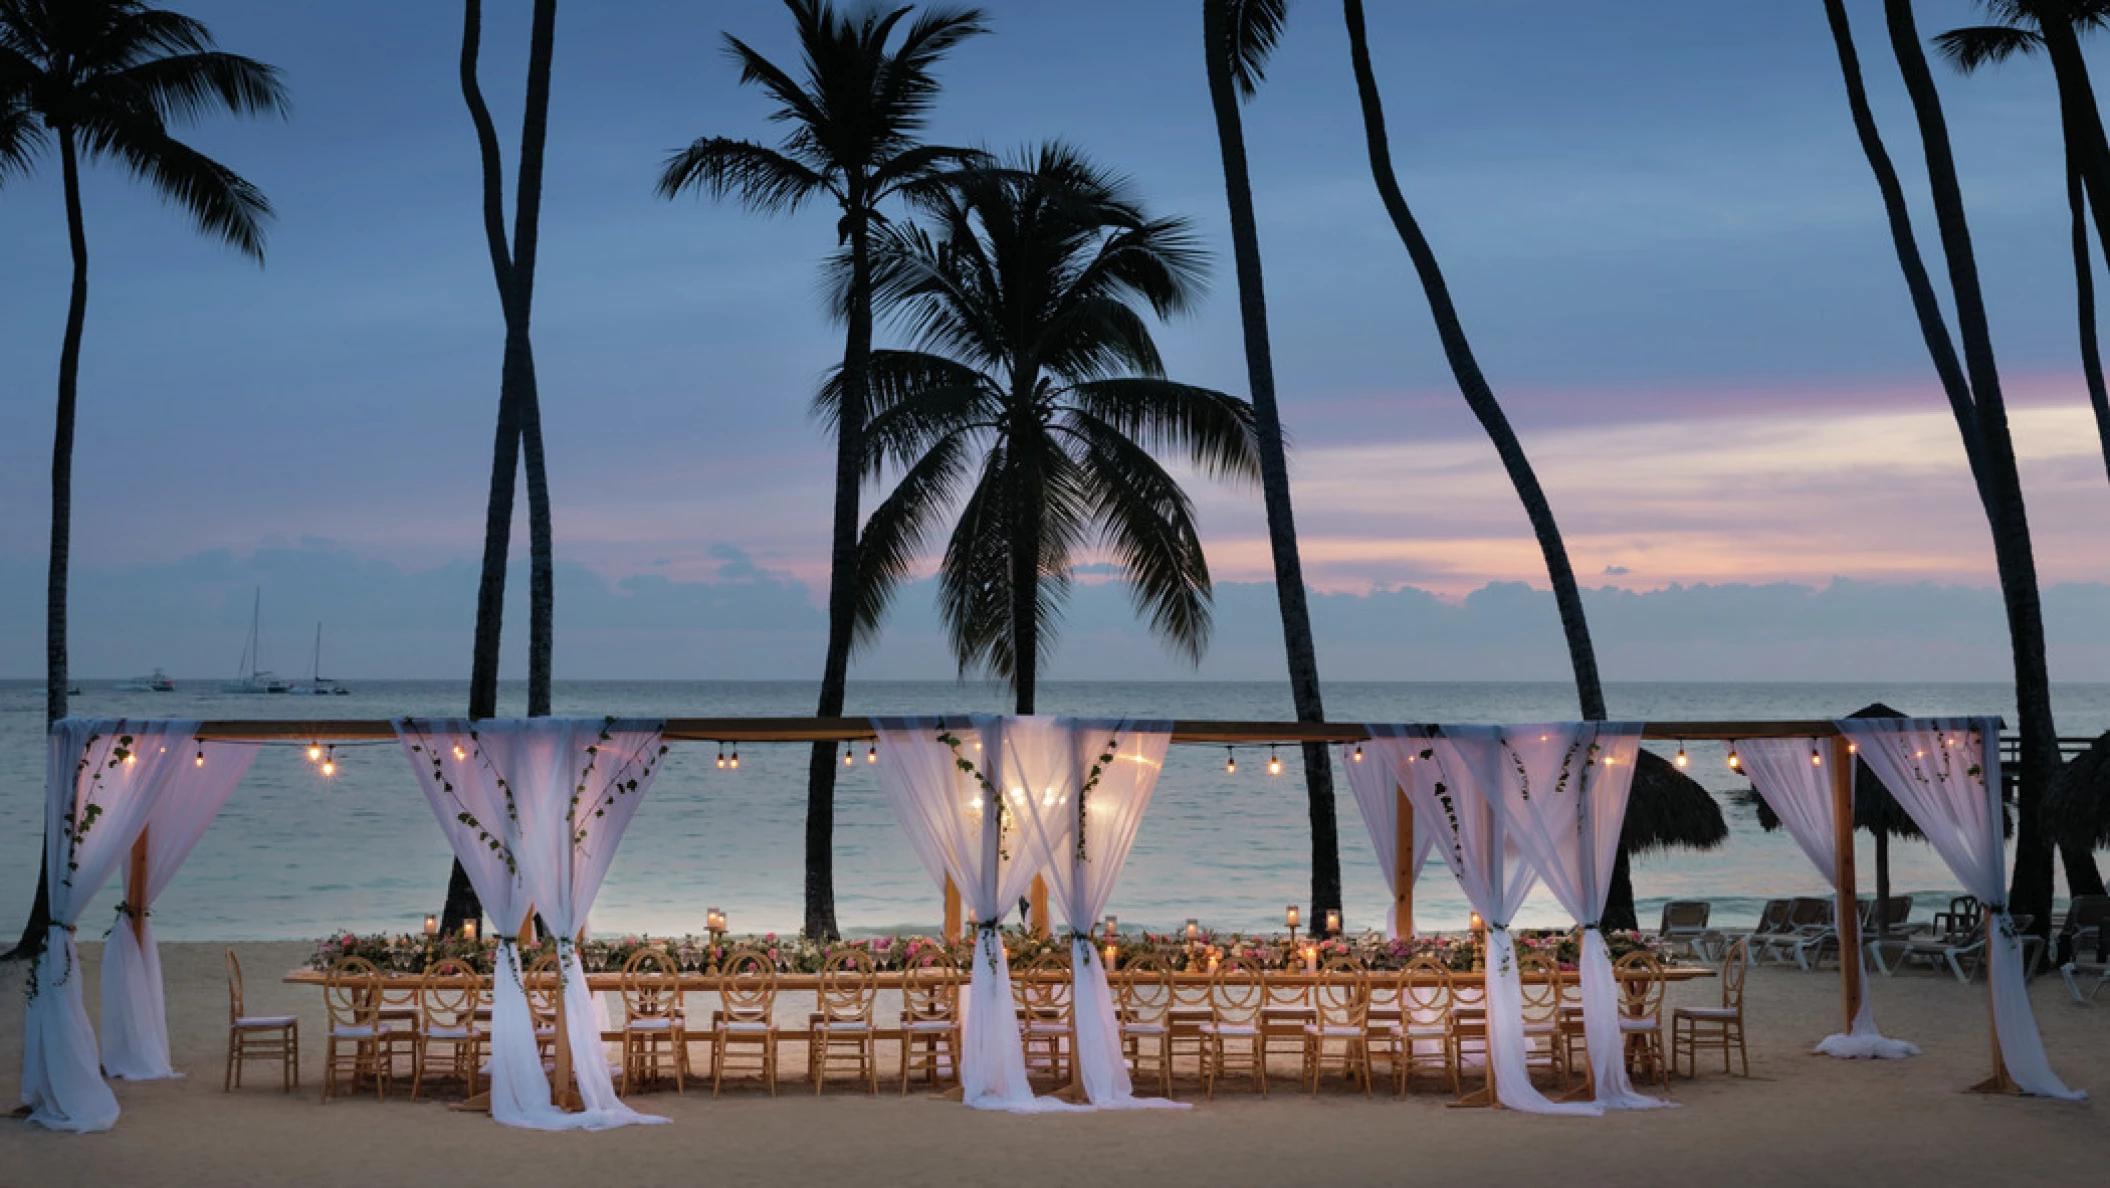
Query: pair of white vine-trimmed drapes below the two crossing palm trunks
[[556, 797]]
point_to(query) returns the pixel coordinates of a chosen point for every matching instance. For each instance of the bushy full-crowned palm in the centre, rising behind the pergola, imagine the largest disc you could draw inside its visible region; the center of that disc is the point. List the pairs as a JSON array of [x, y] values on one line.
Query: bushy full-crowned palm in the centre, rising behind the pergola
[[1033, 404]]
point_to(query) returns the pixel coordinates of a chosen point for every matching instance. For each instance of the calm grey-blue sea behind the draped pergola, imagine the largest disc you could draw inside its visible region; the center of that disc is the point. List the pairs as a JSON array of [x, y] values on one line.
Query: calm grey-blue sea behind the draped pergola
[[296, 856]]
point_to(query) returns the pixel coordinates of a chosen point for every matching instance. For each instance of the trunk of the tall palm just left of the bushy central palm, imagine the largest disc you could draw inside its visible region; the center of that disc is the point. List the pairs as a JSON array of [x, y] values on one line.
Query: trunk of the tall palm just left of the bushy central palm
[[841, 586]]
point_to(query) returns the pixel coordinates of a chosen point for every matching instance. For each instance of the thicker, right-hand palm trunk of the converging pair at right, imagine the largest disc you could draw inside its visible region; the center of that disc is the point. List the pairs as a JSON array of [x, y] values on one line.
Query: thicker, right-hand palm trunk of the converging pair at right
[[2033, 885]]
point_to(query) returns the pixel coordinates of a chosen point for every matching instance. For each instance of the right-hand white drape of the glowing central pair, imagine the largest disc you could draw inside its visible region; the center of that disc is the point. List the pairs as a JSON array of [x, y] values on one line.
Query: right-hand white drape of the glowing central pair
[[1096, 780]]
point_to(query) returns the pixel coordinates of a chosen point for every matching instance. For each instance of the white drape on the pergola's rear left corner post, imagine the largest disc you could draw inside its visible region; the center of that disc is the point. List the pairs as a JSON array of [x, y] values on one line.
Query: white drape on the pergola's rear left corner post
[[136, 1018]]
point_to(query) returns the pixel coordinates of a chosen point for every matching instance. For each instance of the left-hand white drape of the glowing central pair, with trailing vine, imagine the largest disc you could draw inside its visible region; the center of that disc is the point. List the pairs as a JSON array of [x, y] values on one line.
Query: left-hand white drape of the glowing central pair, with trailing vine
[[934, 775]]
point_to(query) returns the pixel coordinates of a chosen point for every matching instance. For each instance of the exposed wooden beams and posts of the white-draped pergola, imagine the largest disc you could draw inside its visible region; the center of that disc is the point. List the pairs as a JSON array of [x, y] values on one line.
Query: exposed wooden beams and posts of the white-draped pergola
[[1219, 733]]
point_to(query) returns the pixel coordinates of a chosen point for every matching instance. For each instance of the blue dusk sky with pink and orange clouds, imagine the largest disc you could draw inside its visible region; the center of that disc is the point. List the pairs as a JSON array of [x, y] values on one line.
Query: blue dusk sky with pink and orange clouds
[[1653, 216]]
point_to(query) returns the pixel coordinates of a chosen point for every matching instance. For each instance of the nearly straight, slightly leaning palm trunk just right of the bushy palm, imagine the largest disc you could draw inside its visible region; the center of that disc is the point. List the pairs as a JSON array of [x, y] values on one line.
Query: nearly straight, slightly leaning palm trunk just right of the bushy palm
[[1273, 465]]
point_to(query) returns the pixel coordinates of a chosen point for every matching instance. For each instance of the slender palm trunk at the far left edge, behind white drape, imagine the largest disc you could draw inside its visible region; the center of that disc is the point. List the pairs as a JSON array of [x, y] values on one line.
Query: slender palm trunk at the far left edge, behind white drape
[[62, 510]]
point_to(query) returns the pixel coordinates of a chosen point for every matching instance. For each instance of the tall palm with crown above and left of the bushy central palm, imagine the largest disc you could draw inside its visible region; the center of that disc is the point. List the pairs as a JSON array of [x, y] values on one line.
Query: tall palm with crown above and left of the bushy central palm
[[853, 138]]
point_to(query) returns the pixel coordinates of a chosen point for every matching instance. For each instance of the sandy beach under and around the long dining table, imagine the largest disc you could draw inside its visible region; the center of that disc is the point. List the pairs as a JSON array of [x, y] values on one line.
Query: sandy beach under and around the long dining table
[[1799, 1117]]
